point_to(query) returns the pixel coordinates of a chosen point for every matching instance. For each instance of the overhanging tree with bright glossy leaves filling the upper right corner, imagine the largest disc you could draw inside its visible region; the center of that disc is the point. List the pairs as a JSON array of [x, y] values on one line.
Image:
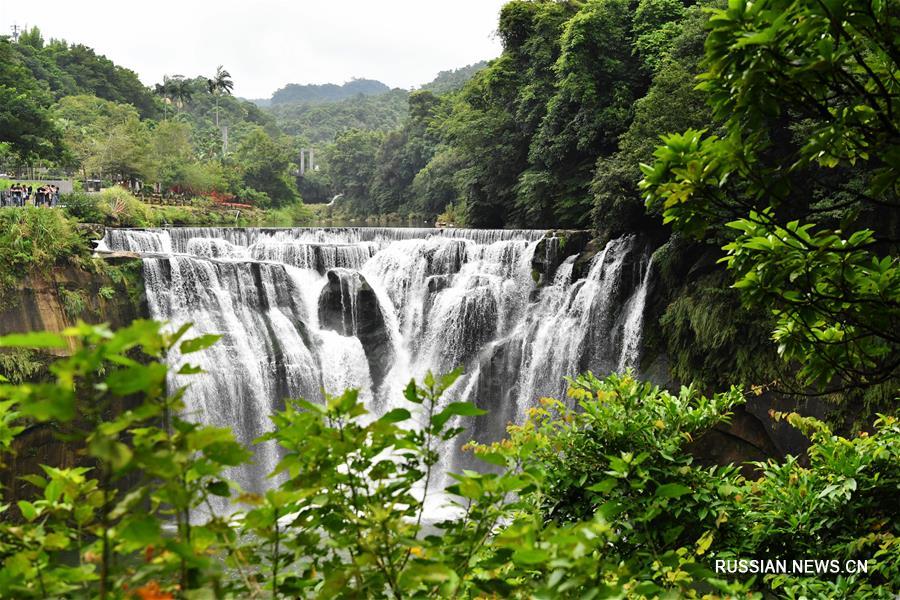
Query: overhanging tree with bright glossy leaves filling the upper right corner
[[805, 176]]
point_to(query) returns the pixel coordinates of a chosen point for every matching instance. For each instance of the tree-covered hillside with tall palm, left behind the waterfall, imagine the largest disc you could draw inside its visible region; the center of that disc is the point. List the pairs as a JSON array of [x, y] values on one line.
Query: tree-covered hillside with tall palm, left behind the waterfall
[[66, 107]]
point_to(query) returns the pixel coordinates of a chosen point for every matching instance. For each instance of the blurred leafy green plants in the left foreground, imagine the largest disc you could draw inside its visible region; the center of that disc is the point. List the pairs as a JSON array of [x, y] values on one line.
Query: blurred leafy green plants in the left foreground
[[171, 466]]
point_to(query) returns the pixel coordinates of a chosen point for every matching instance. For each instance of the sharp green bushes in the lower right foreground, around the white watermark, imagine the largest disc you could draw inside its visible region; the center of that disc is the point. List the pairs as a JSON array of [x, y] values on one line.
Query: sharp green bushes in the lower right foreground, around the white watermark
[[625, 455]]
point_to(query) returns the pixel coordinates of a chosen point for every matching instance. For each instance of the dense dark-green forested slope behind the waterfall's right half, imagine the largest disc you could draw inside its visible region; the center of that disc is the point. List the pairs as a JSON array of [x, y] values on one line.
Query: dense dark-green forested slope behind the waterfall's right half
[[552, 131]]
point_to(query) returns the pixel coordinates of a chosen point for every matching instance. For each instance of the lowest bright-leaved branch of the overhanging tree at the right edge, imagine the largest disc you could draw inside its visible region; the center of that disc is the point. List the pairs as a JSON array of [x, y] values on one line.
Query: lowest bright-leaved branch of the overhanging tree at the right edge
[[841, 324]]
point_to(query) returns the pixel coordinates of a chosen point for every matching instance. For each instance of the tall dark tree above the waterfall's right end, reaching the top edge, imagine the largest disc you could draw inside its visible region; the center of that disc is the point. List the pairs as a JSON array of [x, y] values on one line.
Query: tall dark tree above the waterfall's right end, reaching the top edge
[[598, 80]]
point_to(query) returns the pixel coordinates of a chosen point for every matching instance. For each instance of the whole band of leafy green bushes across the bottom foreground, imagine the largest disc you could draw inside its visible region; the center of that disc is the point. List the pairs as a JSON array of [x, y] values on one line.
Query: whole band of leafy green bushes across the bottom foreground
[[602, 501]]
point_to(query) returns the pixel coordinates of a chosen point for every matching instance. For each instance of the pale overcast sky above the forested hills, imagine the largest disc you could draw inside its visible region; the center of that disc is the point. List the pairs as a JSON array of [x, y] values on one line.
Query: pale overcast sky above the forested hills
[[266, 44]]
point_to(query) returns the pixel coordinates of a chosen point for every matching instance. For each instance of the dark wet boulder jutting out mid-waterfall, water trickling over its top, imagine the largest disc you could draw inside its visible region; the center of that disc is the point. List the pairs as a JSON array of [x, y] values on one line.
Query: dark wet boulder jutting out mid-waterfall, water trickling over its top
[[349, 306]]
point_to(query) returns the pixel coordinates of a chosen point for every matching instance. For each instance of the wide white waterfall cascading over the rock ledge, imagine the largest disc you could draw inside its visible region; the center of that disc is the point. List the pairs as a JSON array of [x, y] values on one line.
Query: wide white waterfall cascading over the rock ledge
[[305, 310]]
